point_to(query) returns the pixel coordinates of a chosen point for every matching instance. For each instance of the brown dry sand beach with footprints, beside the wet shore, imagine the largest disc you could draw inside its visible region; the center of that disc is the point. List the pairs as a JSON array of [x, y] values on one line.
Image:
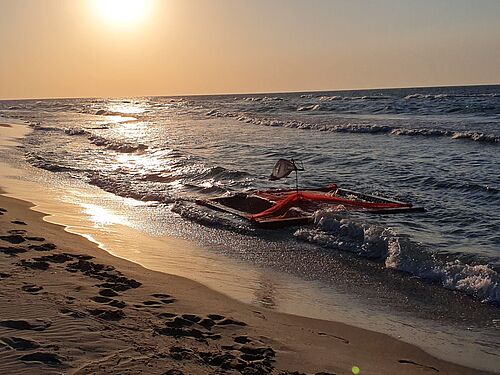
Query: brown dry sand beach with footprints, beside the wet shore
[[292, 343]]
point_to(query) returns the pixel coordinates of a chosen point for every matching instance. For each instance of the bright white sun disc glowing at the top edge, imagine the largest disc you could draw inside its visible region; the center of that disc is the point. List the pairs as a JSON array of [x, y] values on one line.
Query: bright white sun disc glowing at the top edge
[[122, 12]]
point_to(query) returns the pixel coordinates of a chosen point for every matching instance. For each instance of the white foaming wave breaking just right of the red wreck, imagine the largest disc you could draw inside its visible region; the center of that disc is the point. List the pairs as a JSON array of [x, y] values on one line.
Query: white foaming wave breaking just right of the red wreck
[[452, 271]]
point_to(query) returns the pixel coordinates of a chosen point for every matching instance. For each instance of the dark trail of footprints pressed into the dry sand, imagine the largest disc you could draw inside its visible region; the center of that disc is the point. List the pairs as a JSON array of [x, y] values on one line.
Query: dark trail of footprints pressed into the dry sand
[[245, 355]]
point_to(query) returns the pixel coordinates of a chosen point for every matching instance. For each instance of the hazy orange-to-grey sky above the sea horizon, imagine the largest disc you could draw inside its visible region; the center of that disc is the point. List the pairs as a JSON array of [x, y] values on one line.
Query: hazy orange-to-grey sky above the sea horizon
[[78, 48]]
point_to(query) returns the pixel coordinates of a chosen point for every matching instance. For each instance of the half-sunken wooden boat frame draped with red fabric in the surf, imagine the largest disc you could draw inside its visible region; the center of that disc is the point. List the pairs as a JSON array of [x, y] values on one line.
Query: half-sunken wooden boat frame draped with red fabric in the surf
[[288, 207]]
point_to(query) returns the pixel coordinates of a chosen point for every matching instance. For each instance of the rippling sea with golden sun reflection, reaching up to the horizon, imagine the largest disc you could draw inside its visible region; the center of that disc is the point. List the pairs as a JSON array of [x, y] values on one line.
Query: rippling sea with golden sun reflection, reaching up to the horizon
[[430, 278]]
